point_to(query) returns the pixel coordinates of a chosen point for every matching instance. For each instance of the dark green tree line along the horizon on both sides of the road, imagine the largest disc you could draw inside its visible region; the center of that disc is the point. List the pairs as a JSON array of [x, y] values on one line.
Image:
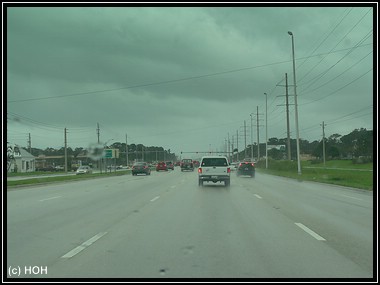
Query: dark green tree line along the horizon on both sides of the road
[[358, 143]]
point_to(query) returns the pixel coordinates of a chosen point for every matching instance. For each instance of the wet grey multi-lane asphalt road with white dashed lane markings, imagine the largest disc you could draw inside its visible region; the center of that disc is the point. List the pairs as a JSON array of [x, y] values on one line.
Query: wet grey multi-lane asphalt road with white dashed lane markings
[[165, 226]]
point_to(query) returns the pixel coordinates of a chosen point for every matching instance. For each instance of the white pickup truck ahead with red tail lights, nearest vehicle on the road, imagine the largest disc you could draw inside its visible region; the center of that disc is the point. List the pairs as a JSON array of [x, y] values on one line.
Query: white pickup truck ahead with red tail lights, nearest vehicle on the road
[[215, 169]]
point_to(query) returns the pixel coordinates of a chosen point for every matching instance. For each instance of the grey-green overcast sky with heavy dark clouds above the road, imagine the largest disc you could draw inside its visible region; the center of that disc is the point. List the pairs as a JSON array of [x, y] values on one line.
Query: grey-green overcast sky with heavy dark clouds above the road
[[185, 78]]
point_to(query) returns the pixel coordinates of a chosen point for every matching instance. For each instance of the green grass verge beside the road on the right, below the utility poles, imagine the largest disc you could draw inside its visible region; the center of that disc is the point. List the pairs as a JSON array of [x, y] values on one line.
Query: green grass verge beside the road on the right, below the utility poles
[[348, 174]]
